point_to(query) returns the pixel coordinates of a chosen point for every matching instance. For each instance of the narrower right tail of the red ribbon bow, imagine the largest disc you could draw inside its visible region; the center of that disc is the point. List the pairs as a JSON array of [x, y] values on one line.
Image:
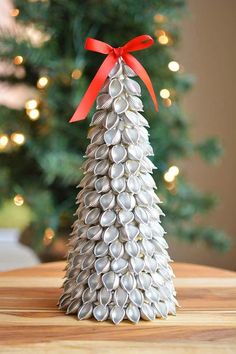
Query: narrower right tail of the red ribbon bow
[[141, 72]]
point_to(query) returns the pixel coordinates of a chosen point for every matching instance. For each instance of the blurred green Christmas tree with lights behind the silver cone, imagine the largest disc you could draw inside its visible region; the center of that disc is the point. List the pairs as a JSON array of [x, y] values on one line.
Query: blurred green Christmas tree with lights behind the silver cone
[[41, 154]]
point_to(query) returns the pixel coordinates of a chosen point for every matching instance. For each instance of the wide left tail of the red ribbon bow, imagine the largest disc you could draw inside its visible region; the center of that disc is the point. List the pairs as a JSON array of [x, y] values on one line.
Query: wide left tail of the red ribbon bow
[[94, 89]]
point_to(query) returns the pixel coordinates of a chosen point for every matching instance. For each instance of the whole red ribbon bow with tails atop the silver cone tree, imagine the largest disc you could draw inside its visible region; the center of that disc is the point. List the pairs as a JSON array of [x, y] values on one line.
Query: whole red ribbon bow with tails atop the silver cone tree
[[113, 54]]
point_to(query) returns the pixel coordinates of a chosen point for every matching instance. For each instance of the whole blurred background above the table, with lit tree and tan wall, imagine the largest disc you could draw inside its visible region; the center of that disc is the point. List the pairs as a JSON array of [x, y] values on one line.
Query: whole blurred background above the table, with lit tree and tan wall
[[44, 72]]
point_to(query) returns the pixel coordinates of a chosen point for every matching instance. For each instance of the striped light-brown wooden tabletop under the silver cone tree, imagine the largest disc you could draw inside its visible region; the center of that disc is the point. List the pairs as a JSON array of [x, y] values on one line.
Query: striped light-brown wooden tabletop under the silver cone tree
[[31, 323]]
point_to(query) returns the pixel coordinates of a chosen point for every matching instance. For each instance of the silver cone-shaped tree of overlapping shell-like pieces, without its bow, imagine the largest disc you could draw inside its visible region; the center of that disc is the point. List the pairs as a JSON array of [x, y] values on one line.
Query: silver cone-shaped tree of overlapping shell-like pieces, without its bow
[[118, 267]]
